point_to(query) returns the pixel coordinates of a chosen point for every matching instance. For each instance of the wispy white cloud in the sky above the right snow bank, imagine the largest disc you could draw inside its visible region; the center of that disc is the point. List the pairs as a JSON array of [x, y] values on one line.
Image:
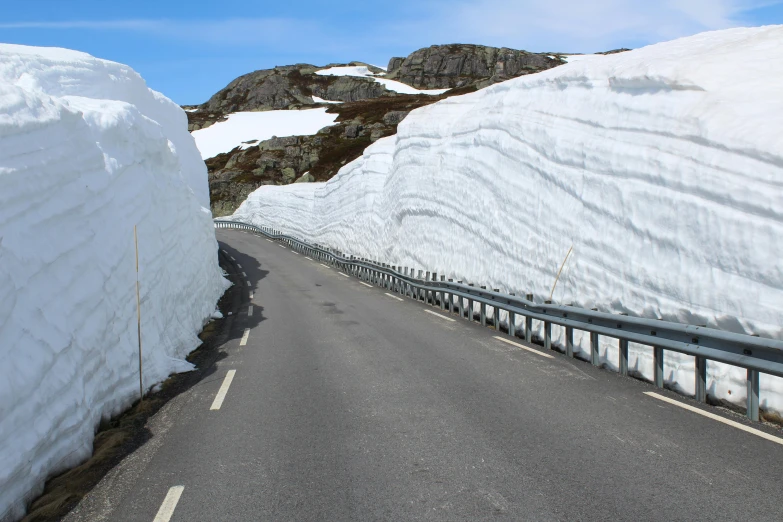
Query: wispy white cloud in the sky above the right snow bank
[[574, 25]]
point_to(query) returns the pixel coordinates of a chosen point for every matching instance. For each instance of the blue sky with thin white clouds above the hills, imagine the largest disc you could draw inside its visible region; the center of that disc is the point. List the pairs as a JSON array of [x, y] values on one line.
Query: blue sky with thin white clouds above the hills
[[190, 50]]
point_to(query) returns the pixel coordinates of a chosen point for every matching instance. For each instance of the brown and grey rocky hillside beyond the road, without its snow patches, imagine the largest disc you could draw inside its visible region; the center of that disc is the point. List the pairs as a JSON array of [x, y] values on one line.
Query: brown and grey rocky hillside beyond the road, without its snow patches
[[369, 111]]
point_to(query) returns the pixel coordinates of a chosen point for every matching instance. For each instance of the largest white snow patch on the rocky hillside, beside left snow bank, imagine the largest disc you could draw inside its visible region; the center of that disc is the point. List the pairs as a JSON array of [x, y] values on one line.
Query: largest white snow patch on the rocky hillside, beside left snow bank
[[243, 127]]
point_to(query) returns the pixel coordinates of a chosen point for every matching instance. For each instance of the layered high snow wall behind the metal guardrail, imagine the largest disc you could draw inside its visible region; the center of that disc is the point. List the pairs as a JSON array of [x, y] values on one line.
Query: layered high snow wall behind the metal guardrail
[[663, 167]]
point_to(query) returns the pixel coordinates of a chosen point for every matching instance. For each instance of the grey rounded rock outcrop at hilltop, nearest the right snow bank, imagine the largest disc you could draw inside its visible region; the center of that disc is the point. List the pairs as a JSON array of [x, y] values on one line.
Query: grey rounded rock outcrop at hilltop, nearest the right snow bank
[[459, 65]]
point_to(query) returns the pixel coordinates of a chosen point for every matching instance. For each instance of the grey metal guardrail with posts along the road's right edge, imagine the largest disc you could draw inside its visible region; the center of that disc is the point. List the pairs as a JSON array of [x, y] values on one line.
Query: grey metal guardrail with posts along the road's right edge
[[755, 354]]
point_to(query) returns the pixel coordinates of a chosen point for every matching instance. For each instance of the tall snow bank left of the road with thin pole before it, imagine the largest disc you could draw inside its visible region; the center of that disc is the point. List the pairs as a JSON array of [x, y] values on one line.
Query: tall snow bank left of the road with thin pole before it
[[86, 152]]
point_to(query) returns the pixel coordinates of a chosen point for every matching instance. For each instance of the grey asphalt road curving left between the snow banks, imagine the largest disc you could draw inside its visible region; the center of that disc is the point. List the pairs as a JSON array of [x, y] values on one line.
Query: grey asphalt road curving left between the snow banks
[[347, 404]]
